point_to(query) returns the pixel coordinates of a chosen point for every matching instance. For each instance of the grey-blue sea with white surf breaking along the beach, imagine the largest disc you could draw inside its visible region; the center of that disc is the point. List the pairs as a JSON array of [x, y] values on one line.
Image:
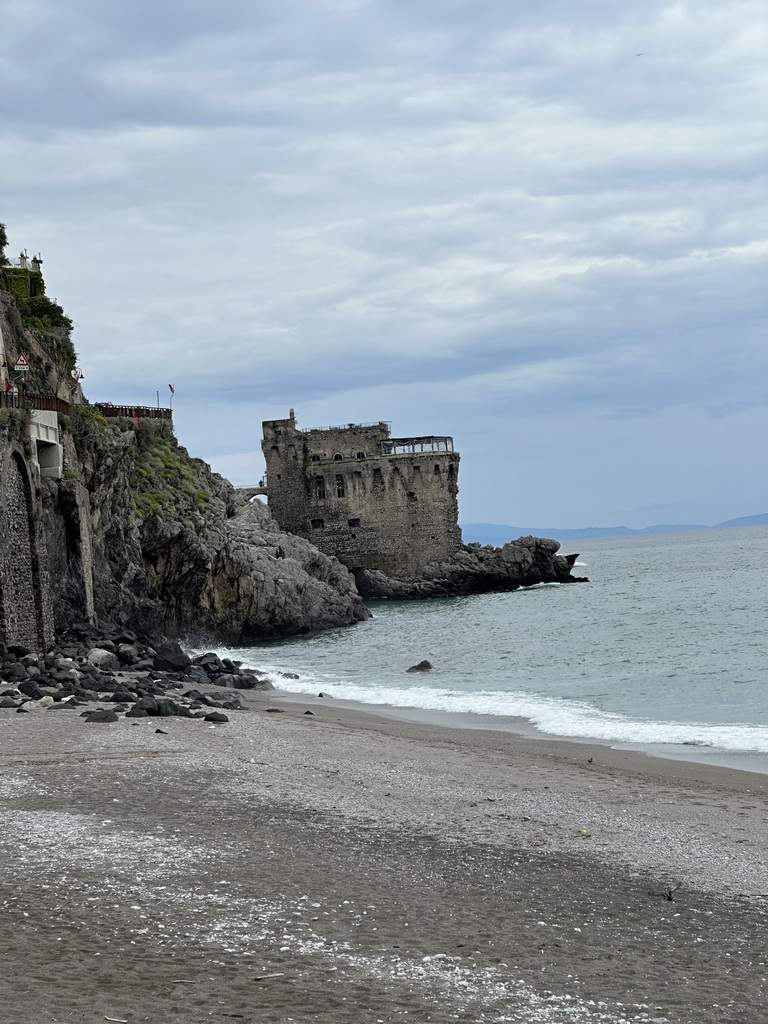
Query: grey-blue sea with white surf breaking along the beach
[[664, 651]]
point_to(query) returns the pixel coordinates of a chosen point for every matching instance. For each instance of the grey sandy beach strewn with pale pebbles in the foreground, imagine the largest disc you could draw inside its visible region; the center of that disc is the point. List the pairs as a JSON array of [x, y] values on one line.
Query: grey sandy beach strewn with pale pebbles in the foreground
[[346, 867]]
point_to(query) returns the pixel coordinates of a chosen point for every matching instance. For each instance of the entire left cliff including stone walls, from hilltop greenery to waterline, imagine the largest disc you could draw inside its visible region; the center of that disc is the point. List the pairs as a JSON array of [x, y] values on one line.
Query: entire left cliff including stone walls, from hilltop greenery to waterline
[[132, 531]]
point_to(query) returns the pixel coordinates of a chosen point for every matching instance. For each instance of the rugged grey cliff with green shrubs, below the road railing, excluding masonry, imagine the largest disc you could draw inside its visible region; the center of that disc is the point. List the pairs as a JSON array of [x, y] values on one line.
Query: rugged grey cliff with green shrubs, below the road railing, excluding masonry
[[174, 547]]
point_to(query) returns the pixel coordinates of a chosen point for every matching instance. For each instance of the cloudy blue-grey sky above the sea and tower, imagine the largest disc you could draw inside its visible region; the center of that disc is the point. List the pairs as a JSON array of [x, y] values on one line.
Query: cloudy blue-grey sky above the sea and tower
[[541, 228]]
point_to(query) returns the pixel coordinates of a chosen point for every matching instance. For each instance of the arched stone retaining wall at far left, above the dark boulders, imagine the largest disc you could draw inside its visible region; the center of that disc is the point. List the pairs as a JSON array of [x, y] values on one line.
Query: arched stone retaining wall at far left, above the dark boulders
[[26, 616]]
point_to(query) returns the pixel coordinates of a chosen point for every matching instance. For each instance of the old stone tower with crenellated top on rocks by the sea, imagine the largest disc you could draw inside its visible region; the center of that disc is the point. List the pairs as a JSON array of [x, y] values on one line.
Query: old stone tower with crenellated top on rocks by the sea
[[374, 501]]
